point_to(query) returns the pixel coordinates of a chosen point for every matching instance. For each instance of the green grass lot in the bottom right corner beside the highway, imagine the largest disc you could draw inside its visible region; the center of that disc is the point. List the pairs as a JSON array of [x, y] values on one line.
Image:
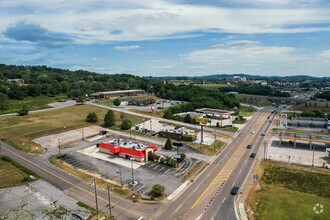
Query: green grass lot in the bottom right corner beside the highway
[[290, 193]]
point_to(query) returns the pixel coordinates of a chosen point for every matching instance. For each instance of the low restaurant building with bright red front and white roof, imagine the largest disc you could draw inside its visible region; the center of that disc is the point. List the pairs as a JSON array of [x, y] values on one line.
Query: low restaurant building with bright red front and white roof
[[127, 149]]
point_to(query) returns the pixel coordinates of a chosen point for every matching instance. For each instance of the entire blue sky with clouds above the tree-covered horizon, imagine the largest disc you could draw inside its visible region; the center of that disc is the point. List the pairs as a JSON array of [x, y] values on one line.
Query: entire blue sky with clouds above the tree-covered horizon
[[169, 37]]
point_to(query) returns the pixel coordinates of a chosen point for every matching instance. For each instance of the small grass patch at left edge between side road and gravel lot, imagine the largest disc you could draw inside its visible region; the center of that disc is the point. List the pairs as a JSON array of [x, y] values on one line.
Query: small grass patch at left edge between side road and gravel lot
[[12, 174]]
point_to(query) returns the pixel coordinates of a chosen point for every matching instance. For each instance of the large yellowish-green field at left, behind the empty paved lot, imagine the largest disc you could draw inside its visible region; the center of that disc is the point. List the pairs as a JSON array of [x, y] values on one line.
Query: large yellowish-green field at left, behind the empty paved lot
[[18, 130]]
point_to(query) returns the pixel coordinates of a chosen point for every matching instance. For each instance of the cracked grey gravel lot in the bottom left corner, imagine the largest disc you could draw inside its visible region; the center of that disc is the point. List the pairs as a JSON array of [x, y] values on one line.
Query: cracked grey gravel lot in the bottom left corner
[[38, 200]]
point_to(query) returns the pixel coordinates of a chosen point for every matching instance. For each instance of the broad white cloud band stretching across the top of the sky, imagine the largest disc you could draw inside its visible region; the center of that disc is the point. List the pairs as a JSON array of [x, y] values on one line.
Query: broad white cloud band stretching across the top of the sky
[[130, 20]]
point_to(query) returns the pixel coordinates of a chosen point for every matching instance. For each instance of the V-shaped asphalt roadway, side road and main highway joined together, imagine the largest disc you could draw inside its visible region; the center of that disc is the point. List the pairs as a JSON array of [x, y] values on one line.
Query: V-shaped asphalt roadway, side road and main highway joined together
[[206, 198]]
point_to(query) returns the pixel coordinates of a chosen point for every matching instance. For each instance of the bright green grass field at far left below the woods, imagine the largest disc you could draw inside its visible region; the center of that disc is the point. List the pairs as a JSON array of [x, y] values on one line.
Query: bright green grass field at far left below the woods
[[34, 103]]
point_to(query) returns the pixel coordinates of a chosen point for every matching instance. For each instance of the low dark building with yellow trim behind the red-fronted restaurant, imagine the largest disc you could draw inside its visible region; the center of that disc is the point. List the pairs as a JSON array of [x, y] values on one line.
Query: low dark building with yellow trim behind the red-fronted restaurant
[[180, 135]]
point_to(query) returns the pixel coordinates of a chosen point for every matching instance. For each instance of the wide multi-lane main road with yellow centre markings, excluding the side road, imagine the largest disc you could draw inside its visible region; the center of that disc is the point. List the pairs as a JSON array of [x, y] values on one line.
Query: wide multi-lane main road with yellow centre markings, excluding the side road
[[209, 197]]
